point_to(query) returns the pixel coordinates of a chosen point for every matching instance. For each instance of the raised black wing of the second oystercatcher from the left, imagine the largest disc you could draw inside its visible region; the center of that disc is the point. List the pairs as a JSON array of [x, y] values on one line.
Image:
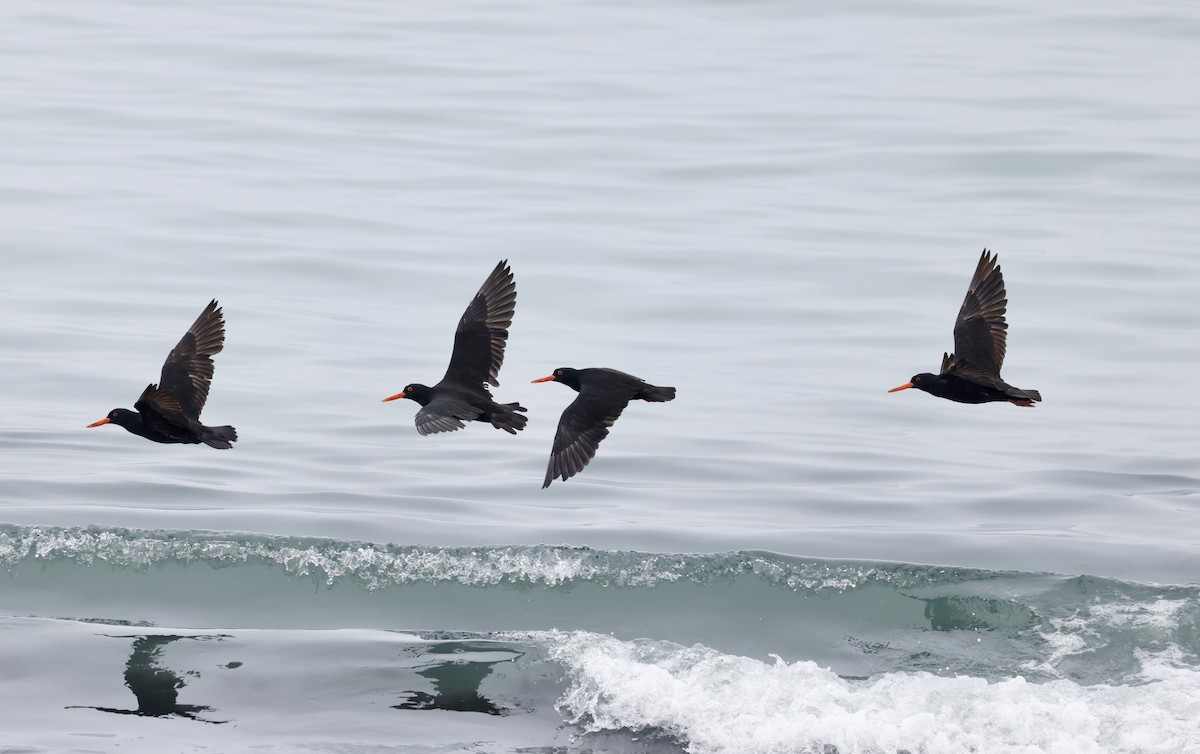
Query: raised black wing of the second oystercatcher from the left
[[484, 331]]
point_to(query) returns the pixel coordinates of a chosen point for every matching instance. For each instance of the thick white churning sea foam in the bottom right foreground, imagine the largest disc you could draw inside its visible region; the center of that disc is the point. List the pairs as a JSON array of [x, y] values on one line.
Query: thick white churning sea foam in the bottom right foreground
[[719, 704]]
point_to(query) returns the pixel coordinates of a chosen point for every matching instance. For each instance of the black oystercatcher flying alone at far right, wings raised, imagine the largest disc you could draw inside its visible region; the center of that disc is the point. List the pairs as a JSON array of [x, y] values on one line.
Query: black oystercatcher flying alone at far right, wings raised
[[971, 375]]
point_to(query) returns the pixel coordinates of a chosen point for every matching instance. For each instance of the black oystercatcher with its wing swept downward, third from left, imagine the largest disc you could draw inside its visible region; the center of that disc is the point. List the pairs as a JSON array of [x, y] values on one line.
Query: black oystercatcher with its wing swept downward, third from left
[[604, 394]]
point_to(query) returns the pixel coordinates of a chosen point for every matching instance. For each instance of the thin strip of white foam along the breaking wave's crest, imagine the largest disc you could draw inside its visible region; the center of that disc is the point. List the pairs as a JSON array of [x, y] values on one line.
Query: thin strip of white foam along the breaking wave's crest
[[381, 565]]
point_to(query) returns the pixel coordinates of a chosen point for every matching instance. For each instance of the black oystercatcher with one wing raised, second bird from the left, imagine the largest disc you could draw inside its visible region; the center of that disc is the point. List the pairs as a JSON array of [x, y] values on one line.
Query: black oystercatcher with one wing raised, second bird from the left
[[479, 343]]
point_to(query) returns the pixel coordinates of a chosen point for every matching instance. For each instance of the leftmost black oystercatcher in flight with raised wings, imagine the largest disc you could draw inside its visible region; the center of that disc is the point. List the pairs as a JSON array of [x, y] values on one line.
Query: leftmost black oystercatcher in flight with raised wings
[[170, 412]]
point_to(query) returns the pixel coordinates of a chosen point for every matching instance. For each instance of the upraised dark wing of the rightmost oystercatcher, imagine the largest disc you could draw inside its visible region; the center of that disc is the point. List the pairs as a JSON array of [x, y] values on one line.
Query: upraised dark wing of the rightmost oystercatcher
[[981, 333]]
